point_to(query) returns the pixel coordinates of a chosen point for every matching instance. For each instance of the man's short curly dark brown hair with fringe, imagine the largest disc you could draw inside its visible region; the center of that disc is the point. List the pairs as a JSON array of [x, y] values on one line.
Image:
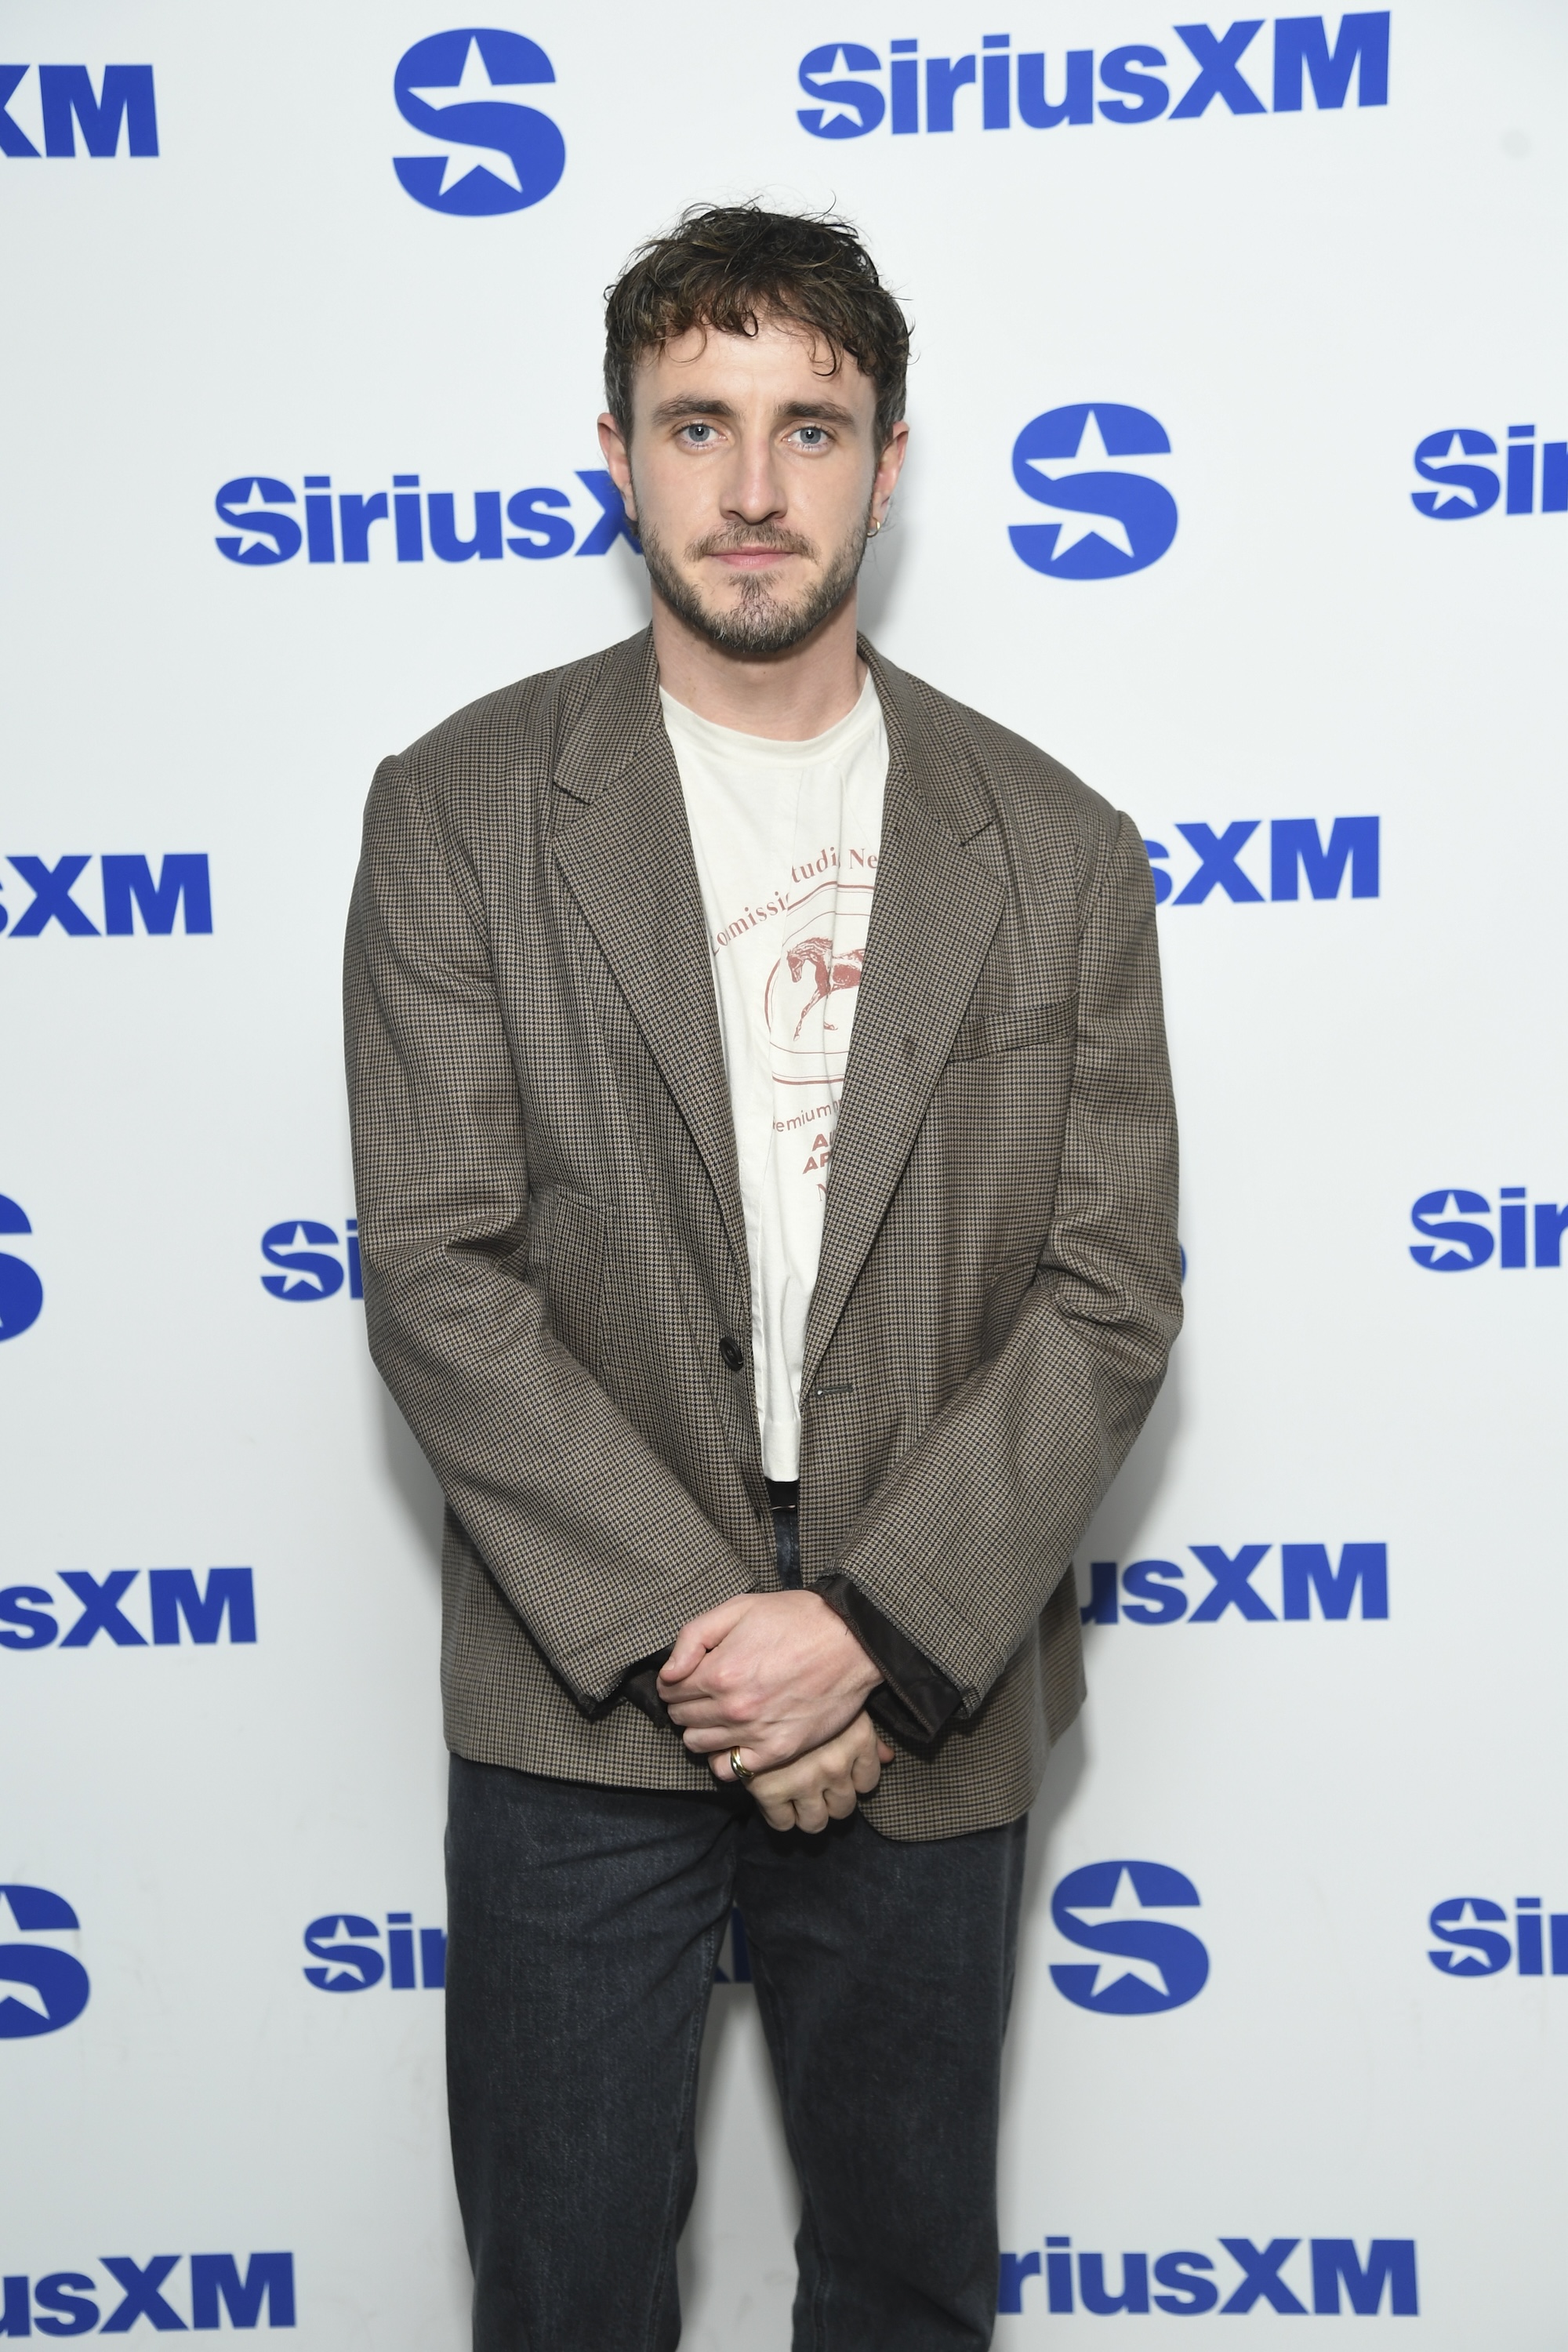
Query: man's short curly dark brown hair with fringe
[[732, 267]]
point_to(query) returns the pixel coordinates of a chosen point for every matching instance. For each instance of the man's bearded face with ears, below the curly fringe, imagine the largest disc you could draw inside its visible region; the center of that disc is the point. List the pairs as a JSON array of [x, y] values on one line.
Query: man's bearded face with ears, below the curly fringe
[[753, 476]]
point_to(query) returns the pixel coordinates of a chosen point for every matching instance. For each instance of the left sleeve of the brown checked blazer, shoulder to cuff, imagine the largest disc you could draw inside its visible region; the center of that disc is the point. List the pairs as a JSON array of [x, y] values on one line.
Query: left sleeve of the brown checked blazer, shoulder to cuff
[[594, 1539]]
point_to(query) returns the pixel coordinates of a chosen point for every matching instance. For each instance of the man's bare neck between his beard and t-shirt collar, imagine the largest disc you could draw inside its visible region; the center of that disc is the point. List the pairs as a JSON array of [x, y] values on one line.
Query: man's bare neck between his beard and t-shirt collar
[[786, 697]]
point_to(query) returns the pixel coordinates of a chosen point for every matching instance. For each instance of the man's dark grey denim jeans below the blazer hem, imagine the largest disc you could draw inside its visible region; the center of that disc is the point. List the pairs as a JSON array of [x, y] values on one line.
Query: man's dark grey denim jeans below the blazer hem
[[584, 1930]]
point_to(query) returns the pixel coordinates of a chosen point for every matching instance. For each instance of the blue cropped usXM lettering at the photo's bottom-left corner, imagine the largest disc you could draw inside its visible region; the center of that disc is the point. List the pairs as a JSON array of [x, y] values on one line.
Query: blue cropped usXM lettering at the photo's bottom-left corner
[[72, 2301]]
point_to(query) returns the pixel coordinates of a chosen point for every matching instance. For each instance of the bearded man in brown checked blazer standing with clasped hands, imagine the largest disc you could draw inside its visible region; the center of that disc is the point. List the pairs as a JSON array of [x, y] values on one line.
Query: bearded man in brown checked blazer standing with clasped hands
[[768, 1189]]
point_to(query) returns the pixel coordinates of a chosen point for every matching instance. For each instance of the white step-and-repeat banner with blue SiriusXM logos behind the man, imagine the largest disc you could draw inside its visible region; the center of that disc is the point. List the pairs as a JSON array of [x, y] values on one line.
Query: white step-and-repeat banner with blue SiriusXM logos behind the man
[[1240, 481]]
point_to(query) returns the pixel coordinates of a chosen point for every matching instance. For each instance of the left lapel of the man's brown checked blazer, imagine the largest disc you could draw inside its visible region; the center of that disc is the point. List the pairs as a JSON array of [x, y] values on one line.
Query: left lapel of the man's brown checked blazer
[[629, 864]]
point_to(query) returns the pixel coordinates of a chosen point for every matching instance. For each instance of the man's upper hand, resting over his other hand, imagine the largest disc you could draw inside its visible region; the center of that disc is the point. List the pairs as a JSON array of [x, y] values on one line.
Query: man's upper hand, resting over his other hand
[[770, 1673]]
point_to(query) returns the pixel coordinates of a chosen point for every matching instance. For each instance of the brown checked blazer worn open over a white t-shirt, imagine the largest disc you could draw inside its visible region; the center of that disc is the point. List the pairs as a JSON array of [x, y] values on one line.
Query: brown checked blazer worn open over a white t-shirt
[[556, 1250]]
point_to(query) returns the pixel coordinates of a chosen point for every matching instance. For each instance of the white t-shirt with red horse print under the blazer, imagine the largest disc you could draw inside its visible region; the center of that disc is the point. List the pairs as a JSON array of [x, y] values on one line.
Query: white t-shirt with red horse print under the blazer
[[786, 843]]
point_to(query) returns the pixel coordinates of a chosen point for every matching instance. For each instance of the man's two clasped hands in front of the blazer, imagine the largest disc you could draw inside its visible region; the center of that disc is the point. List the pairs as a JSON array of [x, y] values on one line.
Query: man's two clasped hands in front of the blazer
[[782, 1681]]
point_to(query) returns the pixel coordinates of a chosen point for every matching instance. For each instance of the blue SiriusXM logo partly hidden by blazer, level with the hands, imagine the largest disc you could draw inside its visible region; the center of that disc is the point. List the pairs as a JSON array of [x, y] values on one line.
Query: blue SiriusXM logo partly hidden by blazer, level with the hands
[[1155, 1591]]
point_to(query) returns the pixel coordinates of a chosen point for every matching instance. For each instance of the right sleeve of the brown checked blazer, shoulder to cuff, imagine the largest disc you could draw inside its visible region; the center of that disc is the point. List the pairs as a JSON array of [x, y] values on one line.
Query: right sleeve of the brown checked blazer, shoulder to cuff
[[977, 1525]]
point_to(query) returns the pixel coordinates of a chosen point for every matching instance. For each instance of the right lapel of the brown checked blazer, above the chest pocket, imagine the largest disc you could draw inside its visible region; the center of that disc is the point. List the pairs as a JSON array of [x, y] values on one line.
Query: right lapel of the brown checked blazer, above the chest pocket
[[934, 916]]
